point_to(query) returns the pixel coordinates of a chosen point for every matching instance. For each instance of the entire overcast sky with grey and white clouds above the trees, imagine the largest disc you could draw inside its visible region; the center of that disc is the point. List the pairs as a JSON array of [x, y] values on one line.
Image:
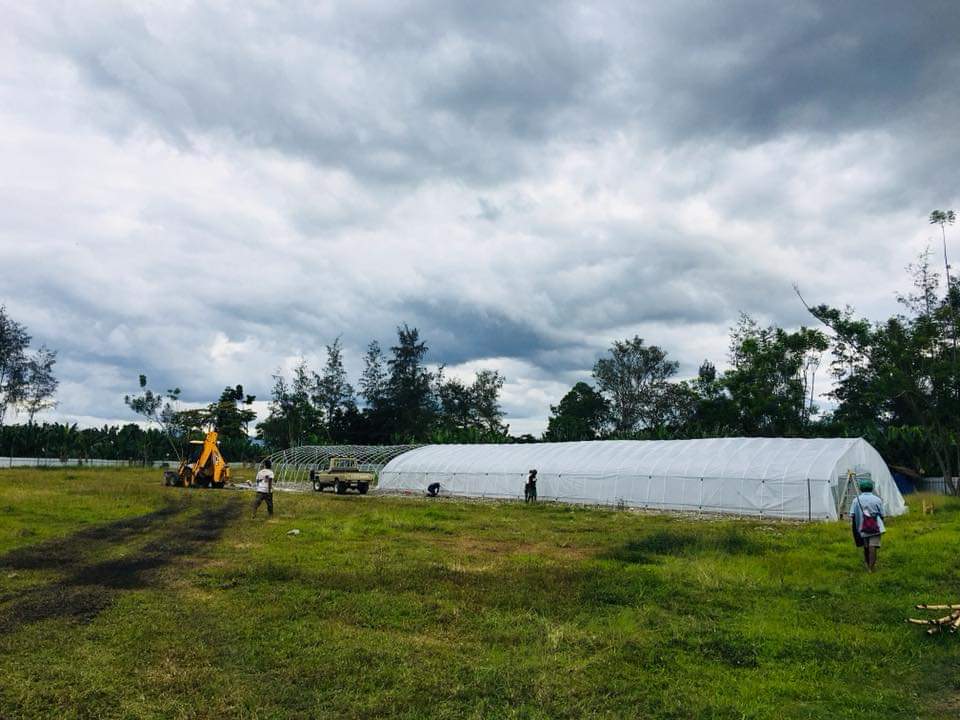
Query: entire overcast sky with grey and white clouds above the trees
[[204, 193]]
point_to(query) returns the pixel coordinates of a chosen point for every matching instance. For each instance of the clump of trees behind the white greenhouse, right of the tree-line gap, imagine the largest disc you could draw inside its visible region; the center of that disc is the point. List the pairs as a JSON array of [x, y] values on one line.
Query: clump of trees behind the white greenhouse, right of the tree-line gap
[[895, 382]]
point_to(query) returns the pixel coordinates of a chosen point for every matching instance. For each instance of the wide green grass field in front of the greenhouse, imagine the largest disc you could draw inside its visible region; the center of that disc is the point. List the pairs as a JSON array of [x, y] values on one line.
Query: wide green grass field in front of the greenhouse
[[120, 598]]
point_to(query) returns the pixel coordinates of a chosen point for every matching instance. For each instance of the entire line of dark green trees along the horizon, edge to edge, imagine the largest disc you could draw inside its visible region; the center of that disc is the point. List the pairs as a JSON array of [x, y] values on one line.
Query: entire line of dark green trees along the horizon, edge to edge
[[895, 382]]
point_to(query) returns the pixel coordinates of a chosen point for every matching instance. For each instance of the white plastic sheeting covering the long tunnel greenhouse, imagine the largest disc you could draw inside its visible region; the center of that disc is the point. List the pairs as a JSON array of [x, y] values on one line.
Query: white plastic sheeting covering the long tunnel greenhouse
[[777, 477]]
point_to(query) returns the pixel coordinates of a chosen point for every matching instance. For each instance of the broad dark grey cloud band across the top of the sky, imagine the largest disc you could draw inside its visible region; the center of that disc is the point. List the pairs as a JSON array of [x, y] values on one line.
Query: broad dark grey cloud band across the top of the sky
[[427, 89]]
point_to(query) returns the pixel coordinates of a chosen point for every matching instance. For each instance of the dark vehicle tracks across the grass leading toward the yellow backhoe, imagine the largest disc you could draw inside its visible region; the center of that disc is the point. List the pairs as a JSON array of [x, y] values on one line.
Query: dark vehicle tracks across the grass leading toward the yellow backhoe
[[87, 587]]
